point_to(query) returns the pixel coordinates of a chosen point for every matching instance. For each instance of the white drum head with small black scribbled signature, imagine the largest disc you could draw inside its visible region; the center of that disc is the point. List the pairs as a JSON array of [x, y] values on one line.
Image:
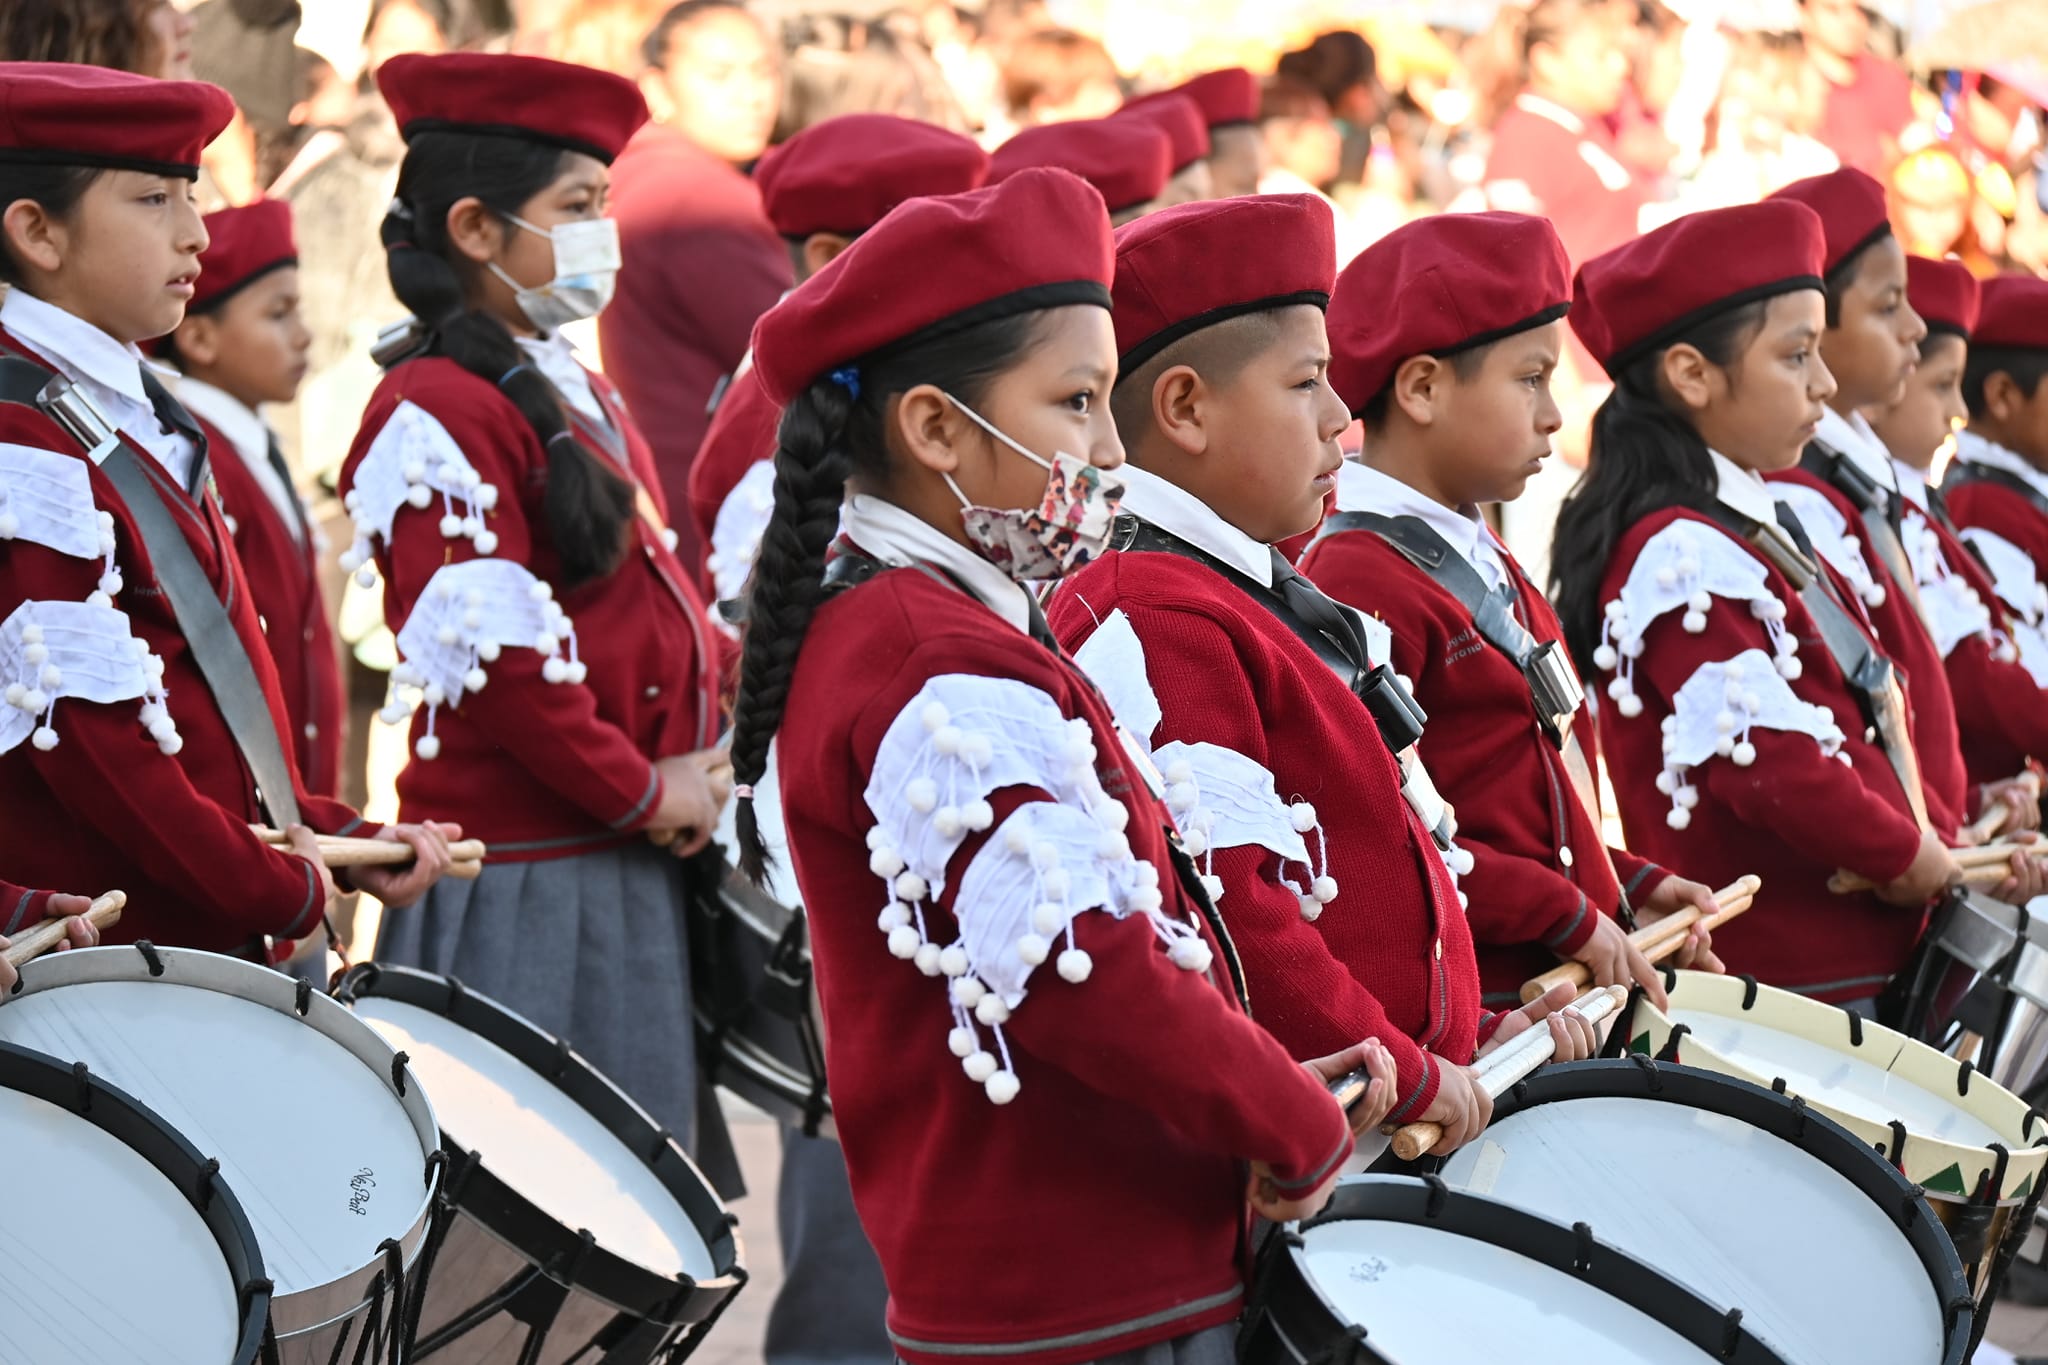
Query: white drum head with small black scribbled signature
[[325, 1159]]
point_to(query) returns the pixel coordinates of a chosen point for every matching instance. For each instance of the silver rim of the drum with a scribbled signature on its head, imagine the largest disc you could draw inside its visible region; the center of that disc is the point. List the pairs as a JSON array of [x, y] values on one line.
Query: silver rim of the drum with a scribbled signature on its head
[[308, 1309]]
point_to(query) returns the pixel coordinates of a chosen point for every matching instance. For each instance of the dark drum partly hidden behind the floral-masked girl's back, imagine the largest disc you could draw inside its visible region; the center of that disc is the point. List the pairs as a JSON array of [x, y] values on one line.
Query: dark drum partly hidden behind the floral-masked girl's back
[[759, 1028]]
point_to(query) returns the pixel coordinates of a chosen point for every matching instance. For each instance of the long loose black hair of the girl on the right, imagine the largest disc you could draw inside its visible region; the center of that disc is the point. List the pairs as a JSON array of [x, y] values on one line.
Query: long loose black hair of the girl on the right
[[1644, 457]]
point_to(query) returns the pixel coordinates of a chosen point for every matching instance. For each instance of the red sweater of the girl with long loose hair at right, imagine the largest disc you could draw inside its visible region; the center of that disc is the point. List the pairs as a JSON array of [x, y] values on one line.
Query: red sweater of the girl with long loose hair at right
[[1793, 816]]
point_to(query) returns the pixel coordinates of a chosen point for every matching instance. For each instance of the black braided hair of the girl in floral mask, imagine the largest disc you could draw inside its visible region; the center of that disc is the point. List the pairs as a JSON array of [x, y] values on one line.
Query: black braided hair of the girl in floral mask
[[826, 437]]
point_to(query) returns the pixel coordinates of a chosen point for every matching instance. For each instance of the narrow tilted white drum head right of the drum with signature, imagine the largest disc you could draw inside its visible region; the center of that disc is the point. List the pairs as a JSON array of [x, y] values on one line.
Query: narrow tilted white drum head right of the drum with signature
[[542, 1143]]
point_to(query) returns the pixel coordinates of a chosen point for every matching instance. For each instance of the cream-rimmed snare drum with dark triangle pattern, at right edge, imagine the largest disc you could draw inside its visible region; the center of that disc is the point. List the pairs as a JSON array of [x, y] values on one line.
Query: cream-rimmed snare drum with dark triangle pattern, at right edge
[[1975, 1147]]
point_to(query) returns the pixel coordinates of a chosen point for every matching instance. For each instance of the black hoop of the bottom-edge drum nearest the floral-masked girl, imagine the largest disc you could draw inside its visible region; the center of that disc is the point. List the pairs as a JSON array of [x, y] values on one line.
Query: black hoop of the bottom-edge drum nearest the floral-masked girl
[[1291, 1321]]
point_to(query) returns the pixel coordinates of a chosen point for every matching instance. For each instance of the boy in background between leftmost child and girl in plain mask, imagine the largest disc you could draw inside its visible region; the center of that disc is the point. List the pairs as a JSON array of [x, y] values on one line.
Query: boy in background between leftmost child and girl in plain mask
[[243, 345]]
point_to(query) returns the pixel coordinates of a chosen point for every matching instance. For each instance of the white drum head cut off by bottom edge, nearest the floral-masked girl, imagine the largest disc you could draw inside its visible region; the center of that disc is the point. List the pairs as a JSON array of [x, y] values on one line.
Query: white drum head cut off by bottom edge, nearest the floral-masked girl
[[1416, 1288]]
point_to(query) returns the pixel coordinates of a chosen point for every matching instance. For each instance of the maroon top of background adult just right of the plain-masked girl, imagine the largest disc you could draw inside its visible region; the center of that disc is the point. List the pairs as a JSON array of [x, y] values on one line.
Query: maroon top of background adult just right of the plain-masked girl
[[701, 263]]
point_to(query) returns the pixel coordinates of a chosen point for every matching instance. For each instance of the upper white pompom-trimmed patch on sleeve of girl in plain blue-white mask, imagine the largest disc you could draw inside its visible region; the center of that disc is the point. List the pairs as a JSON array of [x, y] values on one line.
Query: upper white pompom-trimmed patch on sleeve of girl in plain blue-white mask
[[411, 464]]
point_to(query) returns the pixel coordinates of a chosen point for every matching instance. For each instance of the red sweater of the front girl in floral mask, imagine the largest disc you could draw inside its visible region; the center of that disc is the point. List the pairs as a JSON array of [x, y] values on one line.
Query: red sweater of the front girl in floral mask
[[1142, 1088]]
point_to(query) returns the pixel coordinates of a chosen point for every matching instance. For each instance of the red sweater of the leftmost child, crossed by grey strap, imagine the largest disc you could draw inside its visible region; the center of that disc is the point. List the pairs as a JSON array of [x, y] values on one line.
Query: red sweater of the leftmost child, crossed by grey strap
[[108, 807]]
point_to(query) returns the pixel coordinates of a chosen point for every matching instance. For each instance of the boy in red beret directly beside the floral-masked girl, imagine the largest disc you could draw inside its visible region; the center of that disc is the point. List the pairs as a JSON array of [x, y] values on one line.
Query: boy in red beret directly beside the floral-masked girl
[[1279, 732]]
